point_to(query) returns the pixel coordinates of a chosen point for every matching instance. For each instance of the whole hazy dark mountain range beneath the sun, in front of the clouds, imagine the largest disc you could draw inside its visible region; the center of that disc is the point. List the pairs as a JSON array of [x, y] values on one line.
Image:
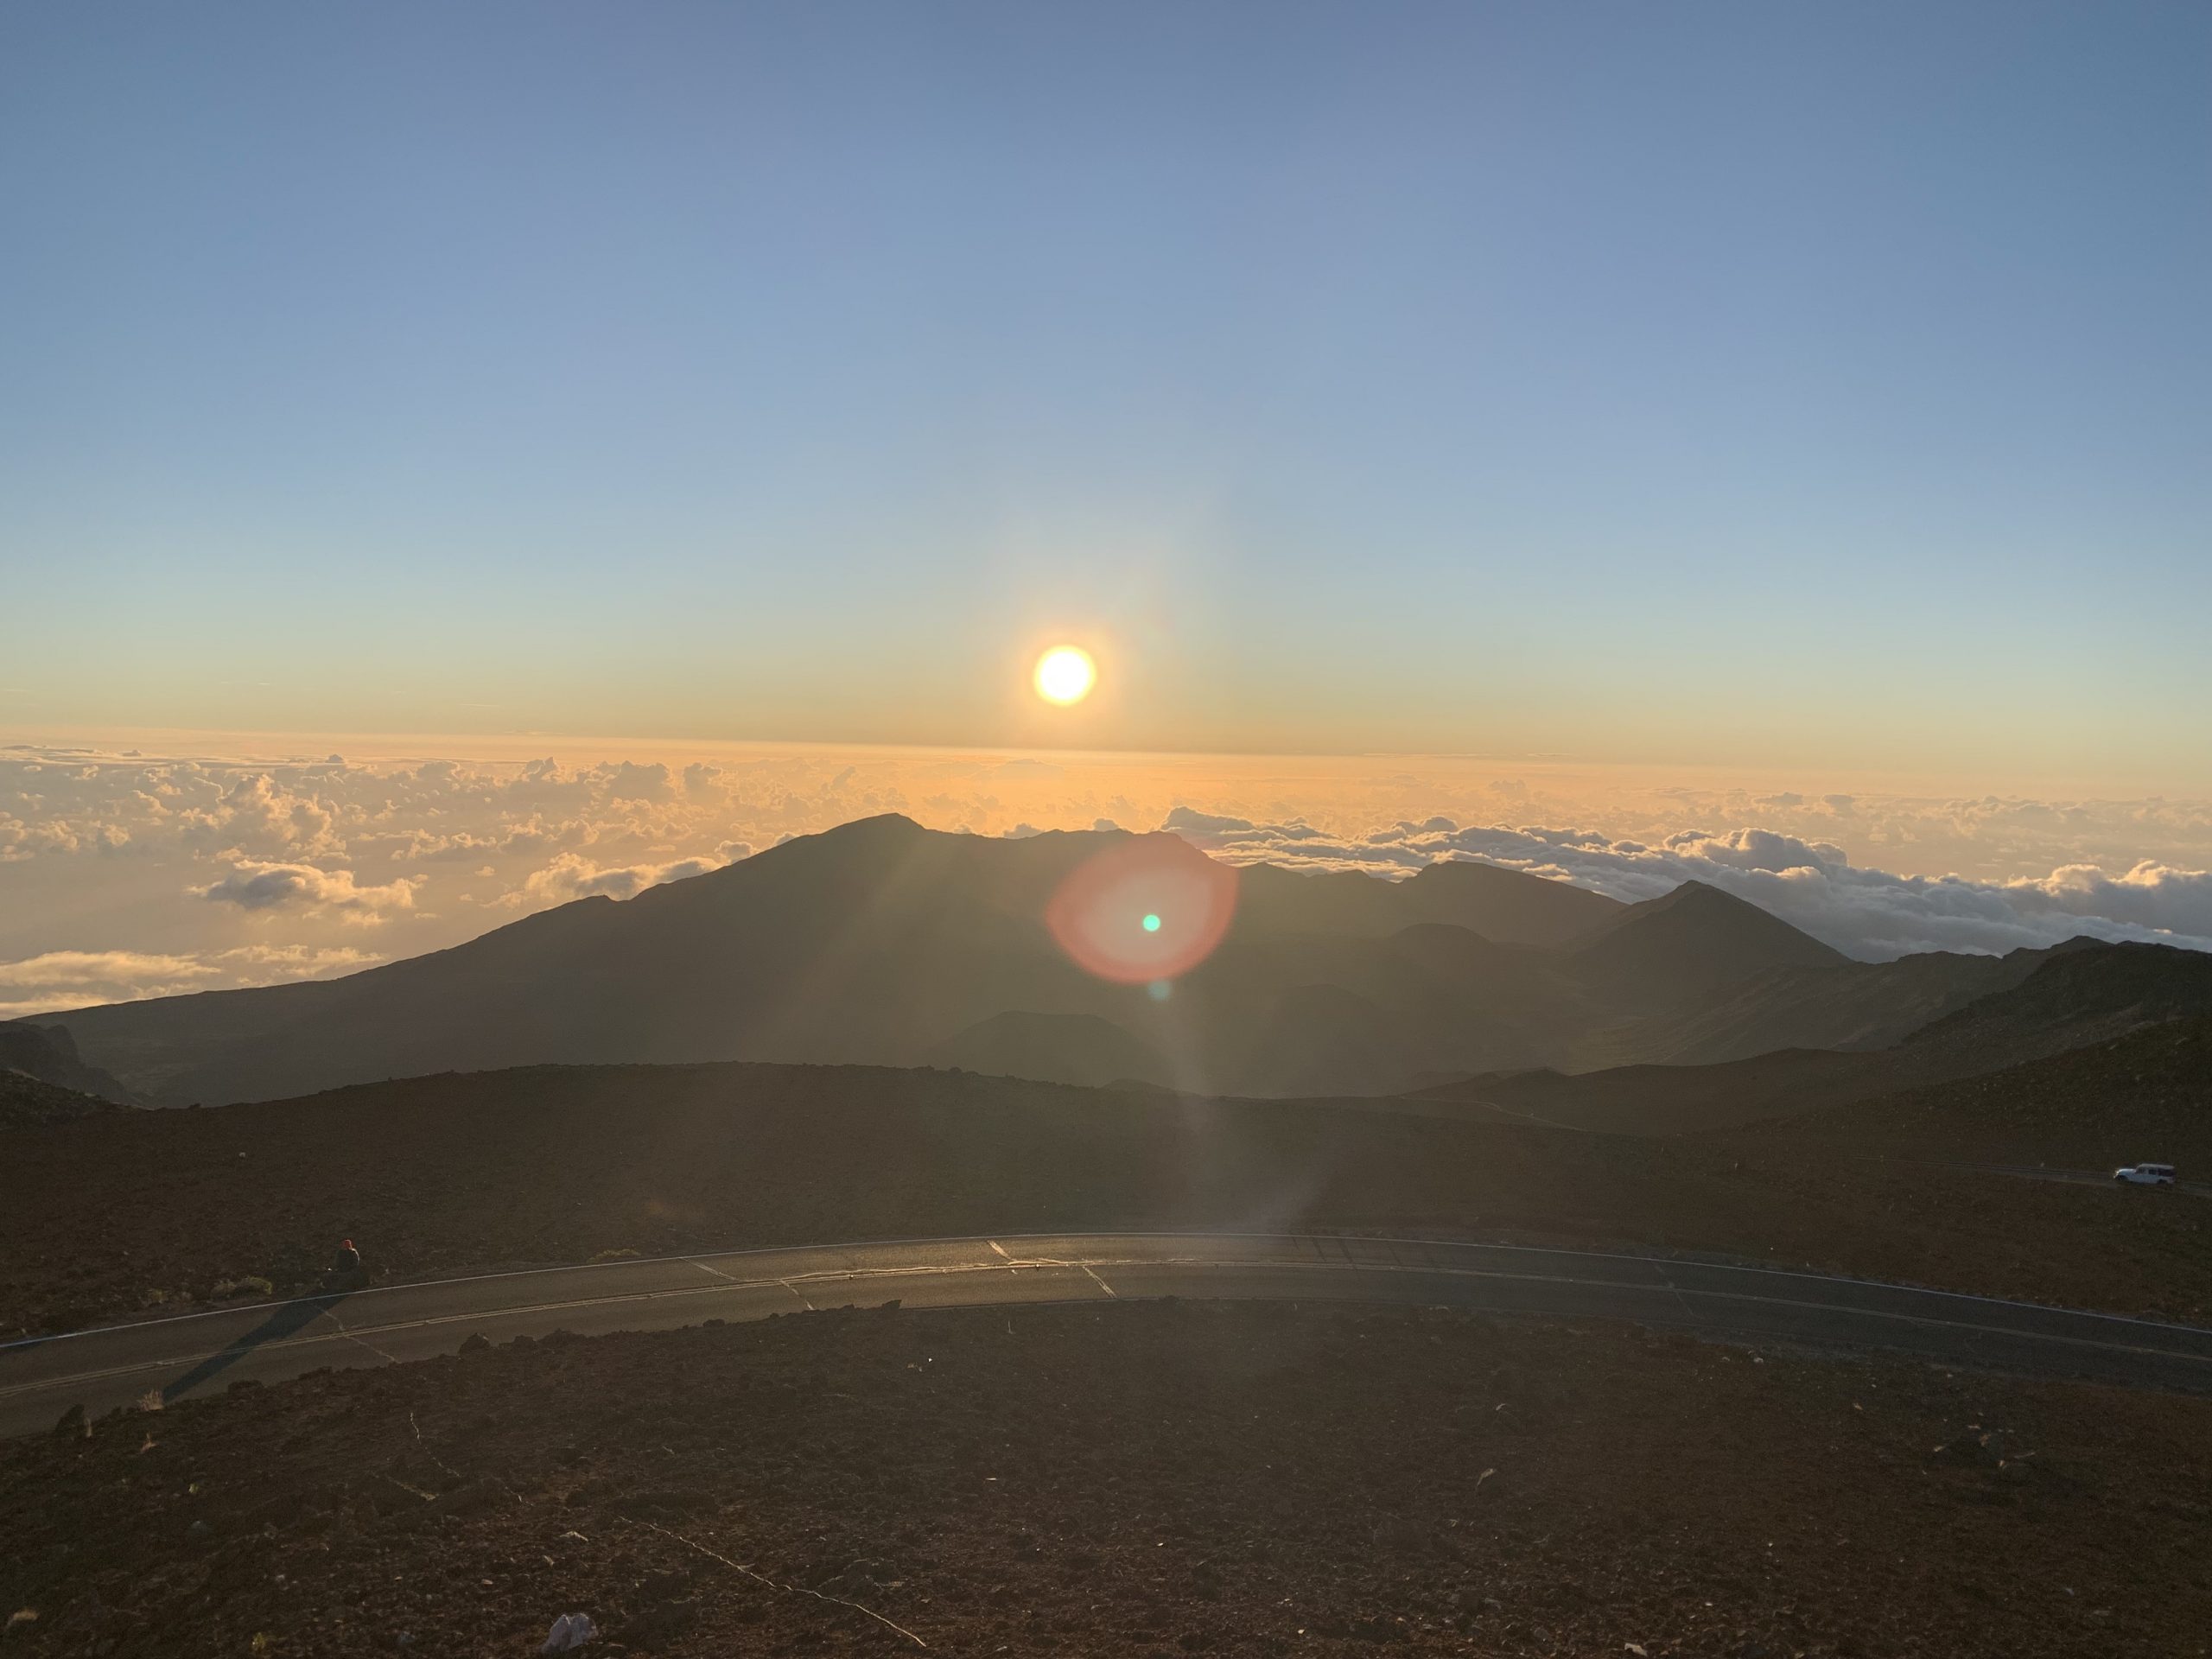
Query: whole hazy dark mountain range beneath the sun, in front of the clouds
[[886, 943]]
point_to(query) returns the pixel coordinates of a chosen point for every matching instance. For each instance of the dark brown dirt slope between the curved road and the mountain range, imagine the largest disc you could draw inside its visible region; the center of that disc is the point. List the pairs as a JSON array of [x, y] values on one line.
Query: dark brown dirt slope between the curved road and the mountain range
[[149, 1211]]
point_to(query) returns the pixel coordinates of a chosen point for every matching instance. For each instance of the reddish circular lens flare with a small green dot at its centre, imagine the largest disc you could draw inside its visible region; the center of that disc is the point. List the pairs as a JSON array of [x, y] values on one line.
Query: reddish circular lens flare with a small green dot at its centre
[[1145, 910]]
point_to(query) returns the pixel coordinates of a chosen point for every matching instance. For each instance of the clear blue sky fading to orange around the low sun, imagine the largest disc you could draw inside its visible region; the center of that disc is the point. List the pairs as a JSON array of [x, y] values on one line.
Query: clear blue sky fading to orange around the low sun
[[1645, 384]]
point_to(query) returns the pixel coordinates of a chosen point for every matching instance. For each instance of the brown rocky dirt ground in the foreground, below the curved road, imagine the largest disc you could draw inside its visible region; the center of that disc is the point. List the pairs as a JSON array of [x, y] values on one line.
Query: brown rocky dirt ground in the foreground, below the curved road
[[1149, 1479]]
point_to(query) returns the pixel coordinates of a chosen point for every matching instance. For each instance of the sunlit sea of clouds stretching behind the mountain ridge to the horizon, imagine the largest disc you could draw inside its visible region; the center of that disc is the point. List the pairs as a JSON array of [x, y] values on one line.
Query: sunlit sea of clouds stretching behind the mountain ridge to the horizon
[[143, 875]]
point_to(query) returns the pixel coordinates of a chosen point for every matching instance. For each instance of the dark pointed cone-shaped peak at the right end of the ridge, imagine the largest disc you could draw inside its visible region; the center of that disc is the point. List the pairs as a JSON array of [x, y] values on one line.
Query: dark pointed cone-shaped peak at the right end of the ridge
[[1687, 946]]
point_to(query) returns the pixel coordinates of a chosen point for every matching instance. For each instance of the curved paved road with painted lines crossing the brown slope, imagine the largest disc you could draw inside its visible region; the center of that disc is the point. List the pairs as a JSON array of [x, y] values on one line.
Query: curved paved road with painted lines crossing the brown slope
[[271, 1342]]
